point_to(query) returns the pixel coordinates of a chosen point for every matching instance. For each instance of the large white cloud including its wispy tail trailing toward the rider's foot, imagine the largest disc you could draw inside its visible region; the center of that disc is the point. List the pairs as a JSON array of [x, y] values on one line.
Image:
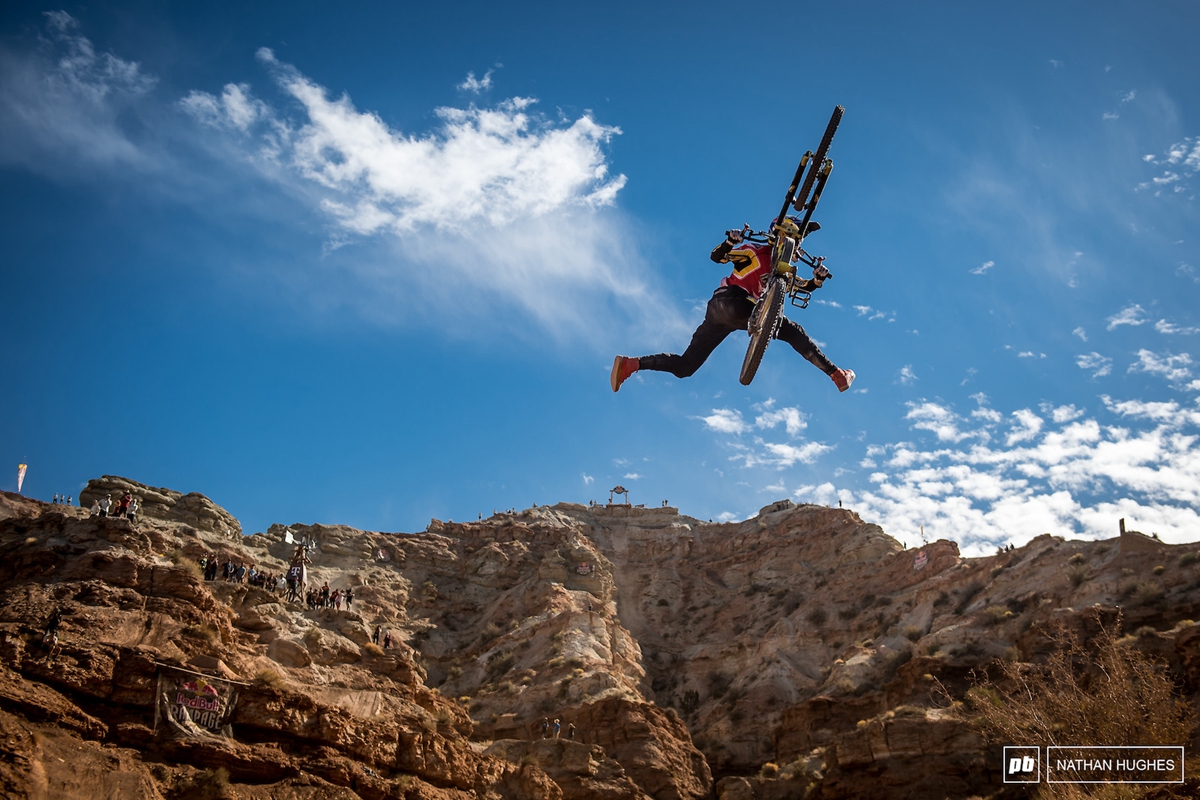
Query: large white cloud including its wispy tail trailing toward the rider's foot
[[494, 204]]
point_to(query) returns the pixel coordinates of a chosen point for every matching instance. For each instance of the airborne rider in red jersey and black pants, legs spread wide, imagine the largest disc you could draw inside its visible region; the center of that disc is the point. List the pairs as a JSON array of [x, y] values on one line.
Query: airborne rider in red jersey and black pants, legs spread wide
[[730, 308]]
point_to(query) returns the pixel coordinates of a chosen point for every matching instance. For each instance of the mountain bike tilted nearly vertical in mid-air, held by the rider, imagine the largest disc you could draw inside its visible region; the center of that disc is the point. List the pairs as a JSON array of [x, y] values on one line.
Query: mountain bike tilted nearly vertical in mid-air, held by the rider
[[787, 251]]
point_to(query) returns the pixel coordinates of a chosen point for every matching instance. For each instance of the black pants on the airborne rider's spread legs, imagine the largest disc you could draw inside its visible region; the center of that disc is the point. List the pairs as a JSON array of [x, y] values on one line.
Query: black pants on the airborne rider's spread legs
[[729, 310]]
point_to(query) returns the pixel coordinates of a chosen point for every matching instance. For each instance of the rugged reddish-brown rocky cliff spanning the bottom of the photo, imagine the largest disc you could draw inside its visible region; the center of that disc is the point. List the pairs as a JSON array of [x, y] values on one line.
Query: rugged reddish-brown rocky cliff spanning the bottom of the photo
[[789, 655]]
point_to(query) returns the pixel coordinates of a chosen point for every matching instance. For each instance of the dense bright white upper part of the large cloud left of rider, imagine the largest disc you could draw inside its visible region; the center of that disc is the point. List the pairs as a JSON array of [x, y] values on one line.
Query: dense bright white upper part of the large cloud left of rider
[[377, 179]]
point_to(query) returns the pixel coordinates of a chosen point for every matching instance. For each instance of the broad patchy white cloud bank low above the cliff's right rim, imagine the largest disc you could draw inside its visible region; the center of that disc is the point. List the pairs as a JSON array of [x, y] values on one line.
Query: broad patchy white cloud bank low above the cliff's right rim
[[1075, 480]]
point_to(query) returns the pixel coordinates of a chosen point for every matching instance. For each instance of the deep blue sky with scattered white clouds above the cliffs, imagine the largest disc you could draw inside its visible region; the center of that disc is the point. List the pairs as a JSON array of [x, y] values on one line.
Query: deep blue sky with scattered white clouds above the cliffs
[[371, 267]]
